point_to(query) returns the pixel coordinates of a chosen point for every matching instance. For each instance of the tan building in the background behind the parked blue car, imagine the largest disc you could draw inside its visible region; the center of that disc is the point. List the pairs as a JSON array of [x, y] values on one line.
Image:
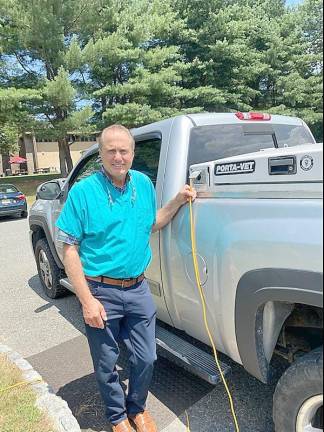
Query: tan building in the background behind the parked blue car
[[43, 156]]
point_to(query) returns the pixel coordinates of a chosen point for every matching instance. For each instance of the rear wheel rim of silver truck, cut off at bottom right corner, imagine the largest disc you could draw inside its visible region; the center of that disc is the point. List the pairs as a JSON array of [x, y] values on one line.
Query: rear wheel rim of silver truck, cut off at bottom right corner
[[306, 420]]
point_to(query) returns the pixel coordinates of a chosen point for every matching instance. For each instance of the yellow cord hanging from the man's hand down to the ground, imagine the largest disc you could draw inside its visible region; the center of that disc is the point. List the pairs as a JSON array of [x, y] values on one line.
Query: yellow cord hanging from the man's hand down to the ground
[[203, 301]]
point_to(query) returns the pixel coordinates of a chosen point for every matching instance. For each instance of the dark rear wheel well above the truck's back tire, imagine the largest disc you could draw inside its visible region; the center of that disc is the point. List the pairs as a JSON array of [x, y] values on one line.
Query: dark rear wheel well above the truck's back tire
[[301, 332]]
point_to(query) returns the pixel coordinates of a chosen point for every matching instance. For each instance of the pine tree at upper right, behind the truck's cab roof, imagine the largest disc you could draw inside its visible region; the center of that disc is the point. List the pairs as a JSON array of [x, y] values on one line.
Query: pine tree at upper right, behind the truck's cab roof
[[254, 54]]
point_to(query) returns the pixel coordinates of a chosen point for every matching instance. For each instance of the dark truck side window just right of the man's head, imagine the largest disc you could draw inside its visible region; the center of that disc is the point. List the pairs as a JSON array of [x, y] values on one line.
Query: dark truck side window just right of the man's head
[[147, 156]]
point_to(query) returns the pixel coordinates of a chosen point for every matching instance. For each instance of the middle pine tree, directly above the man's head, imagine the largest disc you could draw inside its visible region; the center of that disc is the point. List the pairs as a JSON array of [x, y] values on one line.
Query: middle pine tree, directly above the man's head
[[135, 76]]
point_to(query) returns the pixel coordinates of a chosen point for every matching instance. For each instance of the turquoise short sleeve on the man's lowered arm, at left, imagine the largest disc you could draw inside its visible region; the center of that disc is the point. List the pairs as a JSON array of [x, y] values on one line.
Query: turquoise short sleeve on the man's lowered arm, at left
[[71, 219]]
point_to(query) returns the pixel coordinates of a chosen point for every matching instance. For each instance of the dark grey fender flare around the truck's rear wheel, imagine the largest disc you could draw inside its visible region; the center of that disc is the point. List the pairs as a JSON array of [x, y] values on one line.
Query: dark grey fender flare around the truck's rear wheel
[[279, 290]]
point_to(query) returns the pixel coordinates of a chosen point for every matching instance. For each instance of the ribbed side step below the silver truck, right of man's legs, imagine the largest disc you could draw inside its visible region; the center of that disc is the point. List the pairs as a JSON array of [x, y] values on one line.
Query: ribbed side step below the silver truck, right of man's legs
[[188, 356]]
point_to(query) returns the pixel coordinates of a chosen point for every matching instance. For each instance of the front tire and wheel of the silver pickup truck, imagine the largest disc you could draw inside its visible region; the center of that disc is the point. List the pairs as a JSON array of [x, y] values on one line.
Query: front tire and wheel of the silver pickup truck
[[49, 273]]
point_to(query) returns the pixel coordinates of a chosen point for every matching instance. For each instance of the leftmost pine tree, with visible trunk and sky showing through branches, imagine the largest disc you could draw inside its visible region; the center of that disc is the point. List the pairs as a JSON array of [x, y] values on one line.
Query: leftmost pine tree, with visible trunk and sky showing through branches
[[35, 37]]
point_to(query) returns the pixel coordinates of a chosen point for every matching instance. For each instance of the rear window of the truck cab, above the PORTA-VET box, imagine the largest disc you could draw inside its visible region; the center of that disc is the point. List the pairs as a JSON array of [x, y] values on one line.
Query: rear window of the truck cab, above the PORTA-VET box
[[209, 143]]
